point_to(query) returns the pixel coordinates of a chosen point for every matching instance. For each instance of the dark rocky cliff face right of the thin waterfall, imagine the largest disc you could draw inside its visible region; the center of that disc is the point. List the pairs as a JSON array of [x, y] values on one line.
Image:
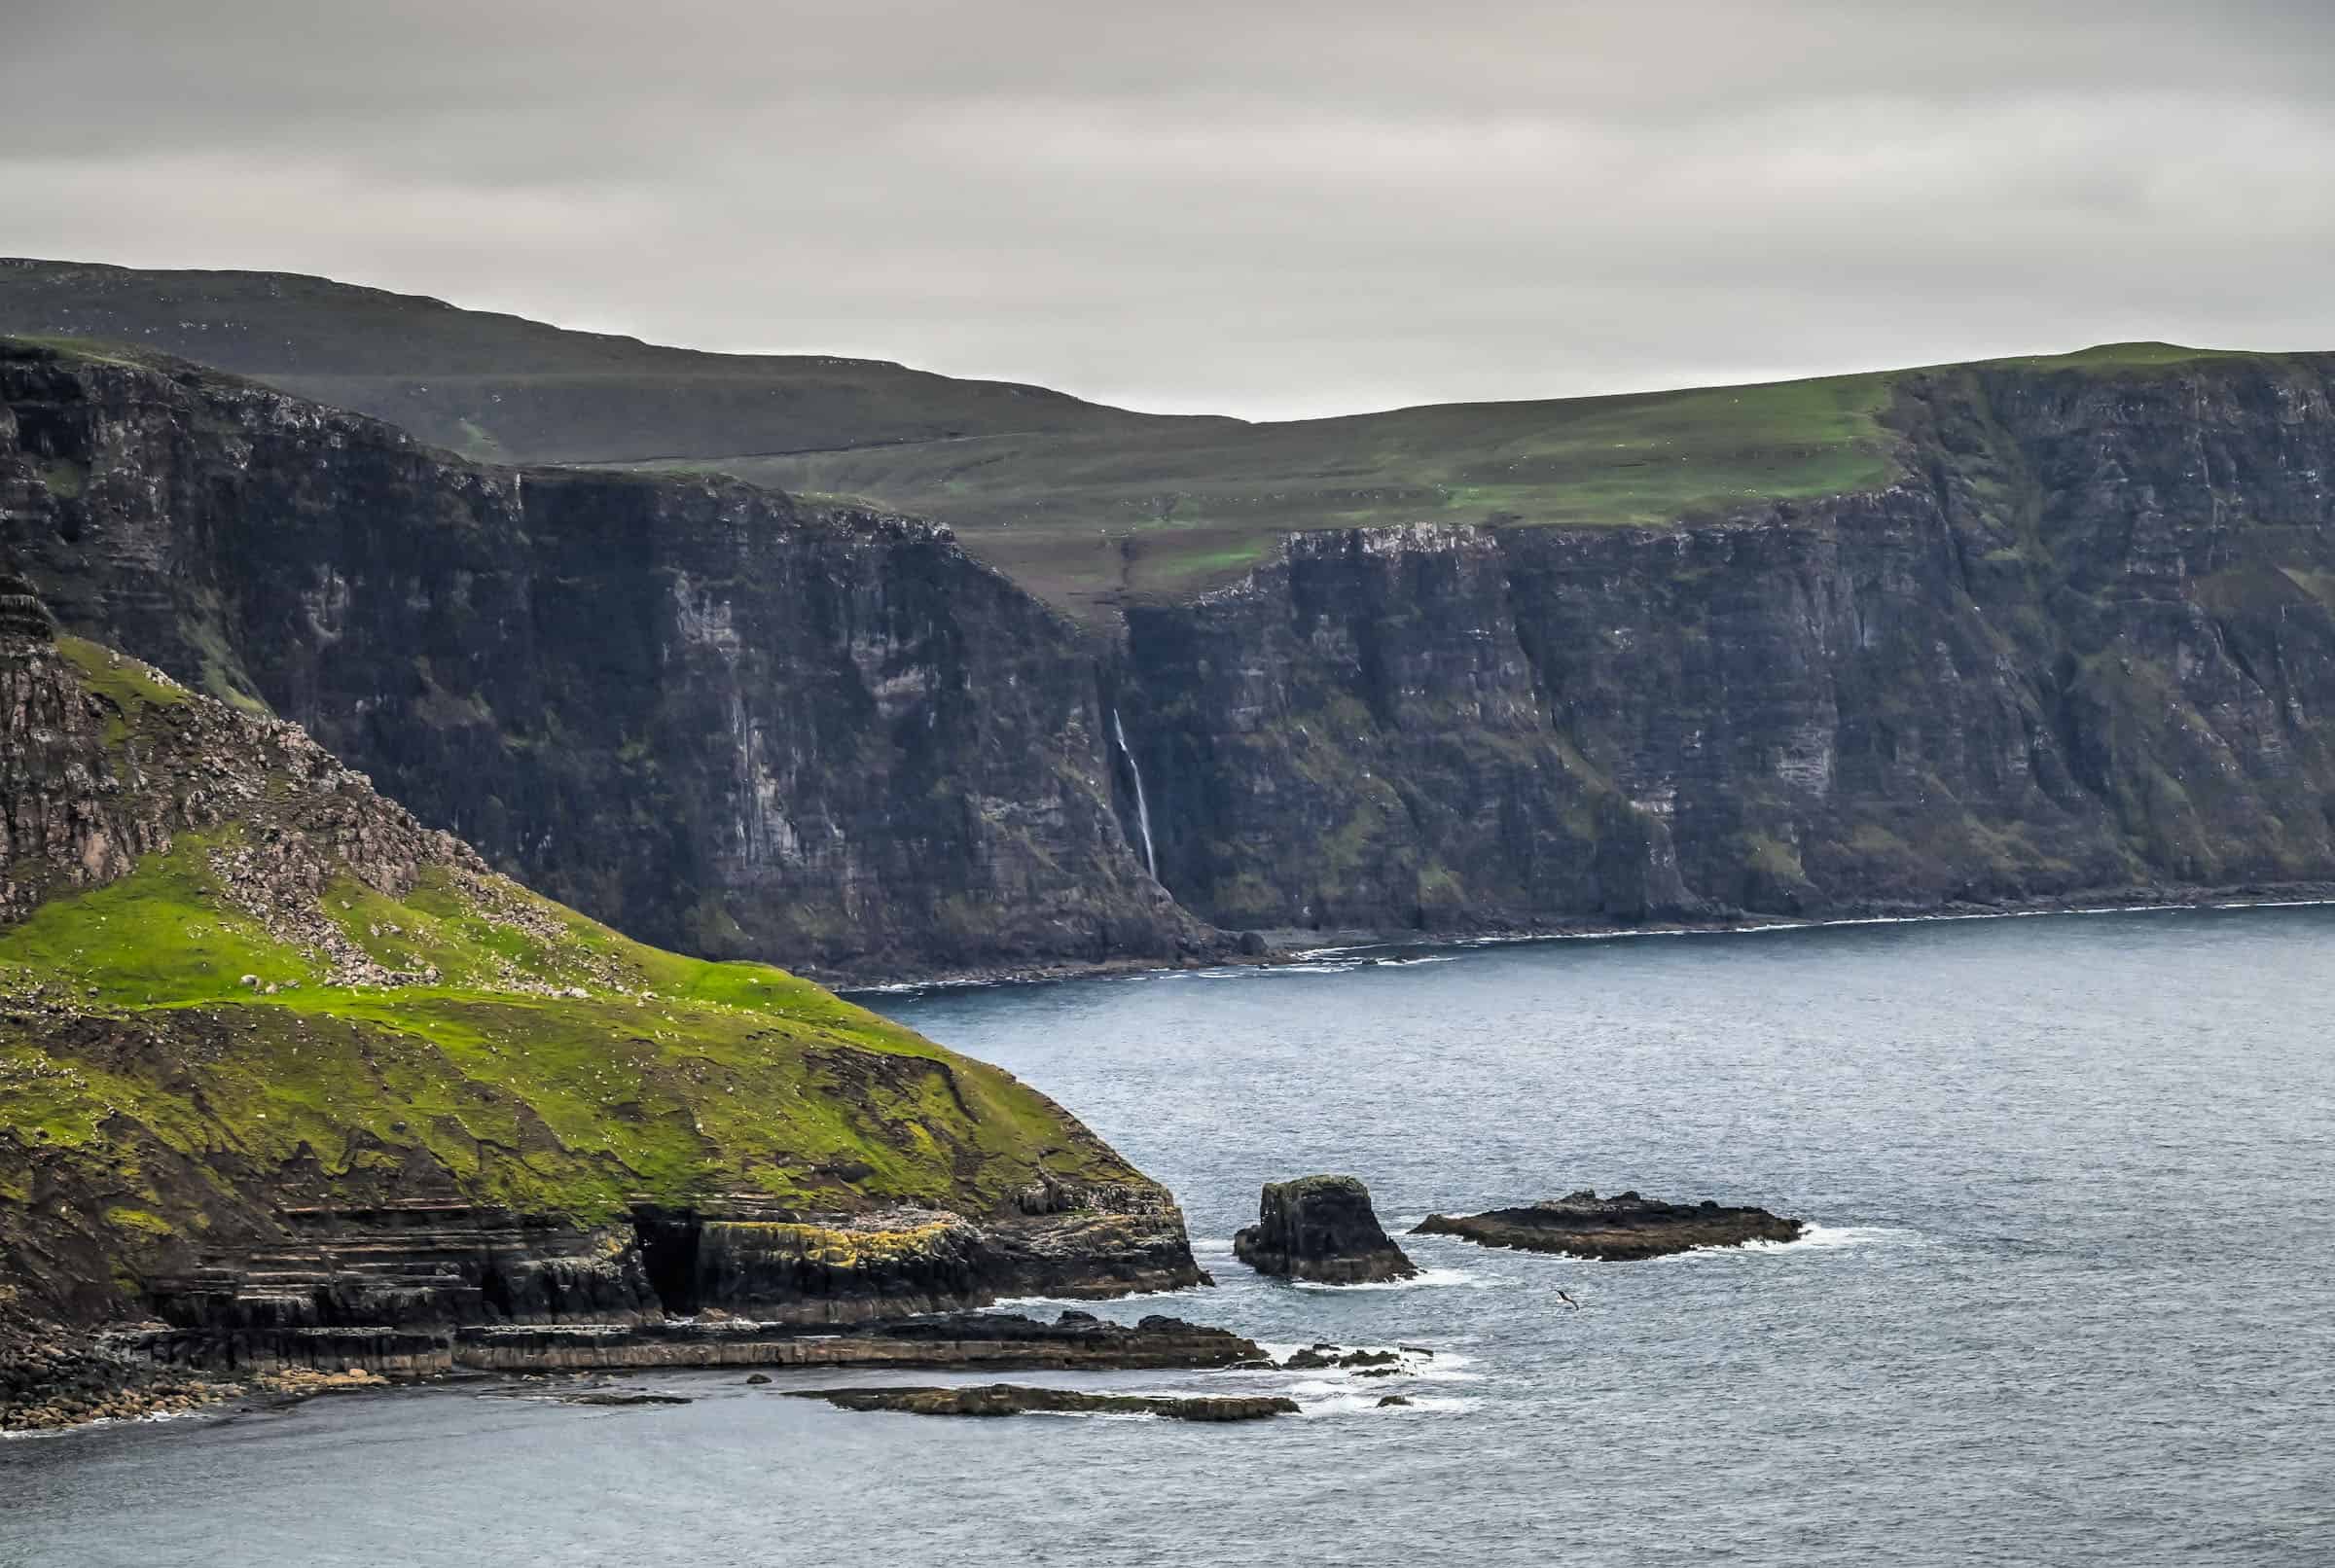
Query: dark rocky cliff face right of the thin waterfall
[[2086, 645]]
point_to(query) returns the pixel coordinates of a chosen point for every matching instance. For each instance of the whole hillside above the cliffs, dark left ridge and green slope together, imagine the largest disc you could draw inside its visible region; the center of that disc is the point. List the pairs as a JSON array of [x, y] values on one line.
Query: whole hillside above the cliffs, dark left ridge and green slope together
[[1089, 507]]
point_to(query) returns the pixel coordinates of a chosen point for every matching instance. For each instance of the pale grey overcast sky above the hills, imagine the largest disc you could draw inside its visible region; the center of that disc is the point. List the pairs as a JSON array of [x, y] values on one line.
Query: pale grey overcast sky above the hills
[[1250, 209]]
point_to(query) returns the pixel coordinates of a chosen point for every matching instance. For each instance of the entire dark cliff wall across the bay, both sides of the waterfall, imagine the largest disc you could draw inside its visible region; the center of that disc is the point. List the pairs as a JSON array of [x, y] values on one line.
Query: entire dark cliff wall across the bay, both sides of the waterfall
[[2082, 647]]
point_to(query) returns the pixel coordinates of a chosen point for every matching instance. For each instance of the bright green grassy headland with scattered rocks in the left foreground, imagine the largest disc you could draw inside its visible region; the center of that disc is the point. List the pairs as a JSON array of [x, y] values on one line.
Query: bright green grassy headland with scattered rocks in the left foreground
[[239, 983]]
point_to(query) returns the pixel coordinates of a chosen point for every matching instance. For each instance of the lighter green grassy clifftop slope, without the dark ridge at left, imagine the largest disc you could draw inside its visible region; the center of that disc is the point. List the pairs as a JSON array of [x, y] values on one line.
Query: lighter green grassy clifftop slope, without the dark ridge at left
[[1164, 514]]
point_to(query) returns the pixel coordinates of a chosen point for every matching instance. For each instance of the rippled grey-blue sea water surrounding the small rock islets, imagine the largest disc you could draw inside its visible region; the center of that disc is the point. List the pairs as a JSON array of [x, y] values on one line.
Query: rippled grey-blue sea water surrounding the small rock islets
[[2068, 1303]]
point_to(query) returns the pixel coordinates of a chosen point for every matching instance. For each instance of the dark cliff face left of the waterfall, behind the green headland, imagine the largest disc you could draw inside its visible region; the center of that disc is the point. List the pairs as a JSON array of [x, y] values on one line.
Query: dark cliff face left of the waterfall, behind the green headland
[[718, 717]]
